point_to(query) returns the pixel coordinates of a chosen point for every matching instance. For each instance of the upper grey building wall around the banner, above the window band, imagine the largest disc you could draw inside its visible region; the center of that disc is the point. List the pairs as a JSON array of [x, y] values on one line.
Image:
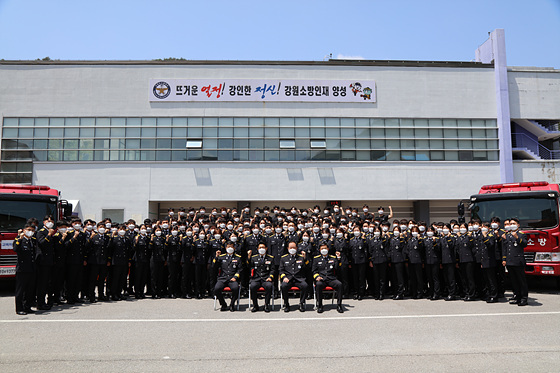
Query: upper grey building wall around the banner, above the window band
[[116, 90]]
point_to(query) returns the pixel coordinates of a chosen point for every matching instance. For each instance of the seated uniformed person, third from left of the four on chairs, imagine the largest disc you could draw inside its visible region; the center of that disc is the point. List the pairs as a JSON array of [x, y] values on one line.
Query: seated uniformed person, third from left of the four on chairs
[[292, 273]]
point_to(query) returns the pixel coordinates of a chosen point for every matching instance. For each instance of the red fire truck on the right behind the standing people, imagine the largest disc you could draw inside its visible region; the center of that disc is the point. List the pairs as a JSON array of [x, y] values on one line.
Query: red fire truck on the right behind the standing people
[[535, 204]]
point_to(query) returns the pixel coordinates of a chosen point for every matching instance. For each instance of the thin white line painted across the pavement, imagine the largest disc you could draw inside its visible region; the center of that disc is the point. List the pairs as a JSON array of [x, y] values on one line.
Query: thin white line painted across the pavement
[[339, 318]]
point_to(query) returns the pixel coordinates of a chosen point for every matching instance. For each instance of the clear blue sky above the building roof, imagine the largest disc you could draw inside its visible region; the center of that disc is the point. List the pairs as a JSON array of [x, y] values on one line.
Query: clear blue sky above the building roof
[[304, 30]]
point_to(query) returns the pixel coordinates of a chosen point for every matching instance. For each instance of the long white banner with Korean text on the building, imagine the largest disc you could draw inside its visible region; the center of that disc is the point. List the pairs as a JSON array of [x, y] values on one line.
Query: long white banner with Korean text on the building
[[269, 90]]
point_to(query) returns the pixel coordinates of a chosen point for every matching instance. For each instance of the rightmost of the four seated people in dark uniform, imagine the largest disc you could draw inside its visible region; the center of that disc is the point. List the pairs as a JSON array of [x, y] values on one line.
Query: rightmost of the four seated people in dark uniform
[[324, 274]]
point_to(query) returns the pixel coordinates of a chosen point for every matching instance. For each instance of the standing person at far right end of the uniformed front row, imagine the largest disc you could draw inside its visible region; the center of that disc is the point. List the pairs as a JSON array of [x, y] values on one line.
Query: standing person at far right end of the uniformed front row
[[513, 244]]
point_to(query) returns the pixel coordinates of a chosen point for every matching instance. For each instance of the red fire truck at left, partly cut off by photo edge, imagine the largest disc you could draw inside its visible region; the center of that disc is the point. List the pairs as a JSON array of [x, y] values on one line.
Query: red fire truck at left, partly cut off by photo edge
[[19, 203]]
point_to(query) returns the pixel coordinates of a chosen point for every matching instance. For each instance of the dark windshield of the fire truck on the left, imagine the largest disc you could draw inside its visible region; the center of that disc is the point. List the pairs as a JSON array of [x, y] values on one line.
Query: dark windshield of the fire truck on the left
[[14, 214]]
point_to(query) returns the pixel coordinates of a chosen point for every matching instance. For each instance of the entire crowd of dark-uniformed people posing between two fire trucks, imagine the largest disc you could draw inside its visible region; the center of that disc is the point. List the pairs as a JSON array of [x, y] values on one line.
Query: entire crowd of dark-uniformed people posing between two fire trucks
[[193, 253]]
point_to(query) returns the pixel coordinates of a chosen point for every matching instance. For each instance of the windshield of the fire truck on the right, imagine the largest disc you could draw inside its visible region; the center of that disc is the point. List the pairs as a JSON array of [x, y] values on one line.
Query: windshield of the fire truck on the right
[[531, 212]]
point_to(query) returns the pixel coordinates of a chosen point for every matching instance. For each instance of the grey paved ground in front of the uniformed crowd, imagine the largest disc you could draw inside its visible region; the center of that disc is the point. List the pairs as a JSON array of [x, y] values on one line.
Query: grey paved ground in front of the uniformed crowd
[[187, 335]]
